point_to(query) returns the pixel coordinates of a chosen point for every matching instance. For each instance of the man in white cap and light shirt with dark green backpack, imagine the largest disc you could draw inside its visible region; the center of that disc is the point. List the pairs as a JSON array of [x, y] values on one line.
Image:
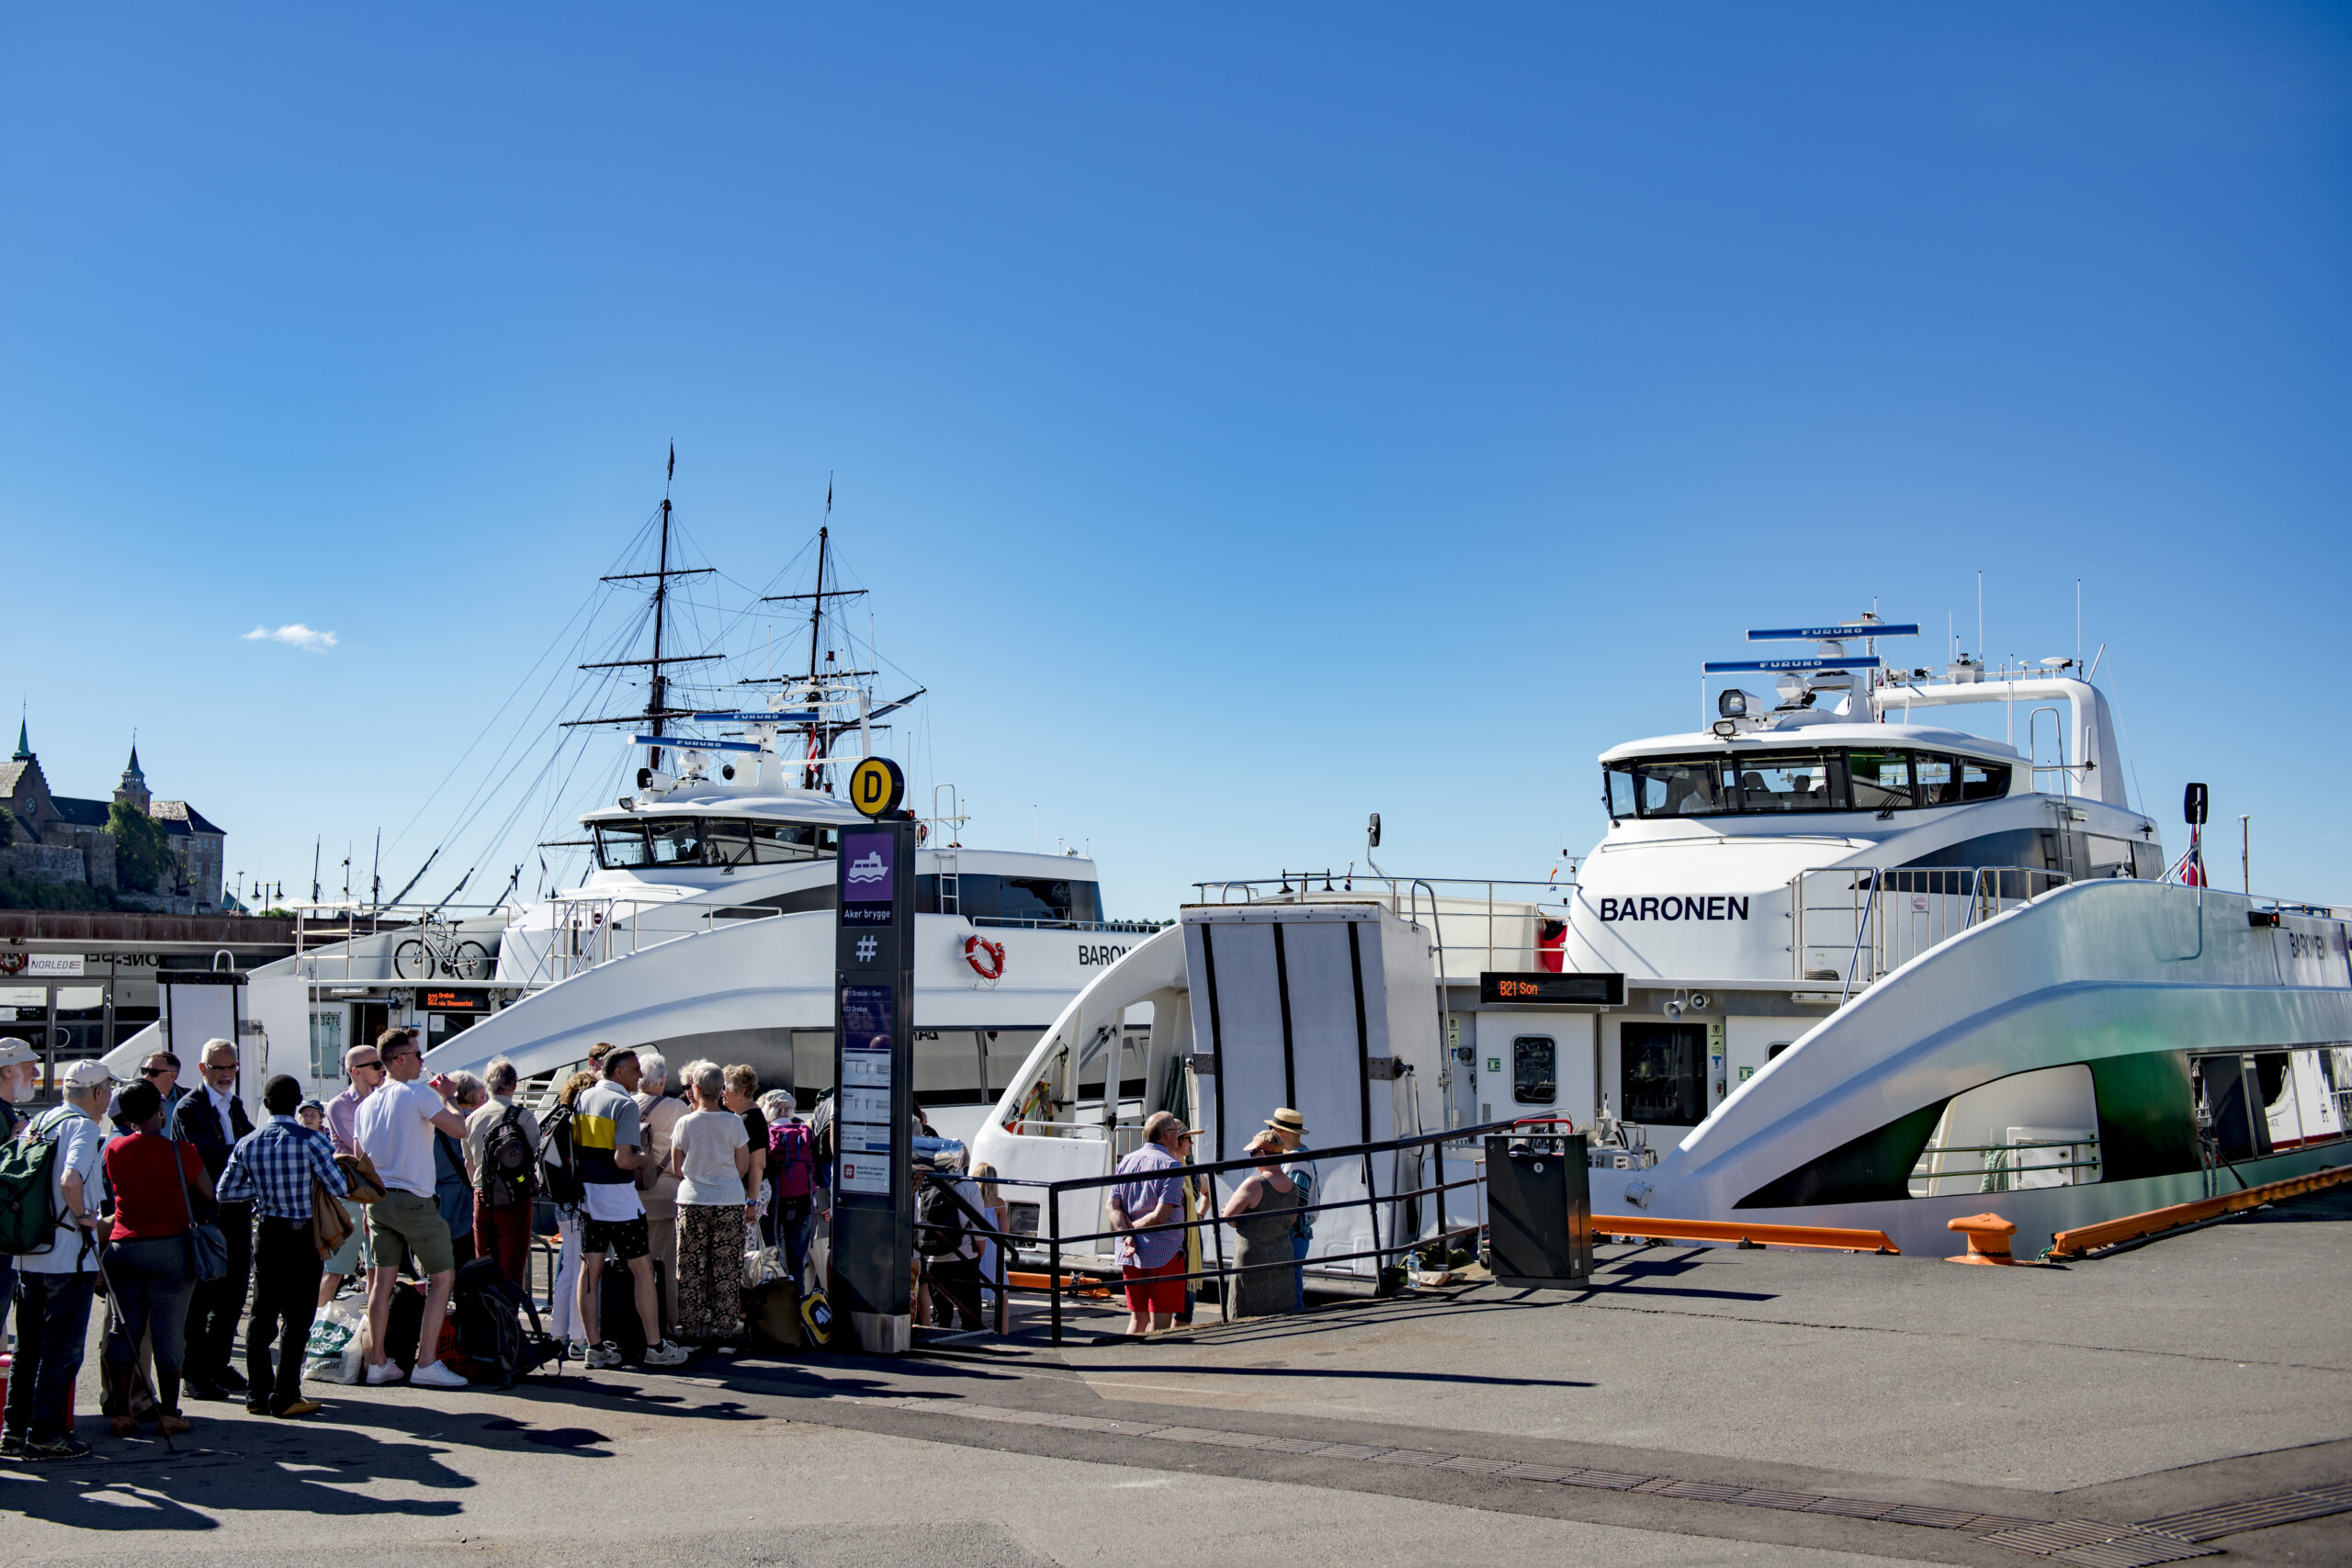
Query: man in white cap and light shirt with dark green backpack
[[55, 1282]]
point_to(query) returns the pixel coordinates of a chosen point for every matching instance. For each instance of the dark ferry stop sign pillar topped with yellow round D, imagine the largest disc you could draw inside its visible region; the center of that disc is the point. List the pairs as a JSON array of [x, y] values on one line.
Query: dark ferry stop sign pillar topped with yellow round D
[[874, 1064]]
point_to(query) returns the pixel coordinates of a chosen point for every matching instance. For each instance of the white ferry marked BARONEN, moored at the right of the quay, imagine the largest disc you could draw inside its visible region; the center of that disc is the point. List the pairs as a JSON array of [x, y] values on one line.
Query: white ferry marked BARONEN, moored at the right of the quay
[[1836, 965]]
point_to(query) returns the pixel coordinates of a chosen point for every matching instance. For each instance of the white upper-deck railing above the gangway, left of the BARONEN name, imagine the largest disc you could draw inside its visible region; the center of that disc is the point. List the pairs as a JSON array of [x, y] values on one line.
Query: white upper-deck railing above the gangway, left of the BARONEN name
[[1481, 923]]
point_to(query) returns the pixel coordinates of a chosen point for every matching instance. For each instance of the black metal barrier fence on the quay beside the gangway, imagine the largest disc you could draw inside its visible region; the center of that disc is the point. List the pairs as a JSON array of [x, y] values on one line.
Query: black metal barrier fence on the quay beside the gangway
[[1372, 1202]]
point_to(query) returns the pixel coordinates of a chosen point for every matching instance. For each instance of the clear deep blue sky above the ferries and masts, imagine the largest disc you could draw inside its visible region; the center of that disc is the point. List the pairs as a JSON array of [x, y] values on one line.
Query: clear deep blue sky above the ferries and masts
[[1245, 420]]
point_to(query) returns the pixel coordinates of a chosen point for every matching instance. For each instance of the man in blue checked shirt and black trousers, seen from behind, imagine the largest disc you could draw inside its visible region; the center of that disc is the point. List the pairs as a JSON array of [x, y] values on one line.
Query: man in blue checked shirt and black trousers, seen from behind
[[274, 1170]]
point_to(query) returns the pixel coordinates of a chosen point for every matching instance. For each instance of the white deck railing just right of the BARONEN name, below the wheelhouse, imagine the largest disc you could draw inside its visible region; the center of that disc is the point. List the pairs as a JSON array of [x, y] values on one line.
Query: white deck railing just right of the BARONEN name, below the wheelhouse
[[1859, 925]]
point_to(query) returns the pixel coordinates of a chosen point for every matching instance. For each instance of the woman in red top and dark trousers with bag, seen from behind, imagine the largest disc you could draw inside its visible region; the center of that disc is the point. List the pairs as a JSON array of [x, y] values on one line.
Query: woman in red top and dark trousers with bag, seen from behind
[[147, 1261]]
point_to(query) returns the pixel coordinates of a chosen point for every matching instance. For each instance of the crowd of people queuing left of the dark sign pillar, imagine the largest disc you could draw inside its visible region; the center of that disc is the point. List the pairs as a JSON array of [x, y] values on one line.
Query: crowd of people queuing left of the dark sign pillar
[[194, 1217]]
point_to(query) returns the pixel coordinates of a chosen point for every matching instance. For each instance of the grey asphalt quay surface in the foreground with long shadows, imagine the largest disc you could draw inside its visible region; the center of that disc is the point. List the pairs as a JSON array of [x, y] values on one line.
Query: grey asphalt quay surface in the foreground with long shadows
[[1695, 1407]]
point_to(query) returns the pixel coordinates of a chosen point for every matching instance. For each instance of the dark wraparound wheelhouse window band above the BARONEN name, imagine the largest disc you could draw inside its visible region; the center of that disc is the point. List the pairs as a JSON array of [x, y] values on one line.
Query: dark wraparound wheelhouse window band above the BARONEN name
[[1798, 782]]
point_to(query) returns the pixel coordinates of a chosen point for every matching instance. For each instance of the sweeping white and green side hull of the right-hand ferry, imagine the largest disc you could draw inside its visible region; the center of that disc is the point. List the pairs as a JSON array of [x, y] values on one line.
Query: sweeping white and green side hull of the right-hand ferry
[[2104, 1050]]
